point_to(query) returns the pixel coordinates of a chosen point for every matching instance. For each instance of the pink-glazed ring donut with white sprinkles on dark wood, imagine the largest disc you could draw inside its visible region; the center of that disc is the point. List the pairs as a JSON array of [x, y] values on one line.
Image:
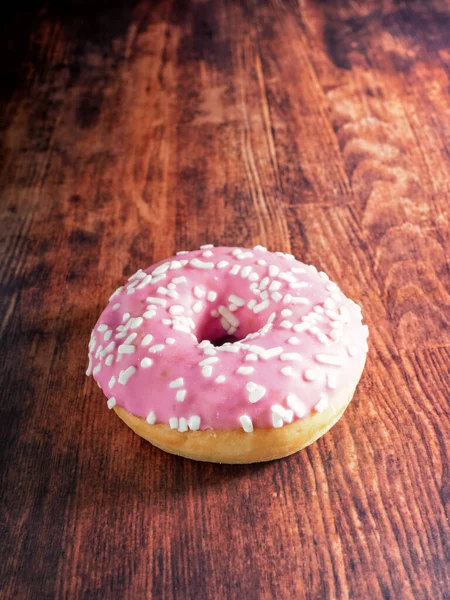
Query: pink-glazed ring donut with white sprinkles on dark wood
[[229, 355]]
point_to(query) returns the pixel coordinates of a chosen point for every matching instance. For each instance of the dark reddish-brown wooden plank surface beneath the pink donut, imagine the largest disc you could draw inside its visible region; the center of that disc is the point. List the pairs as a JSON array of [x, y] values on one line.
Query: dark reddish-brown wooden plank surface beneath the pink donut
[[131, 130]]
